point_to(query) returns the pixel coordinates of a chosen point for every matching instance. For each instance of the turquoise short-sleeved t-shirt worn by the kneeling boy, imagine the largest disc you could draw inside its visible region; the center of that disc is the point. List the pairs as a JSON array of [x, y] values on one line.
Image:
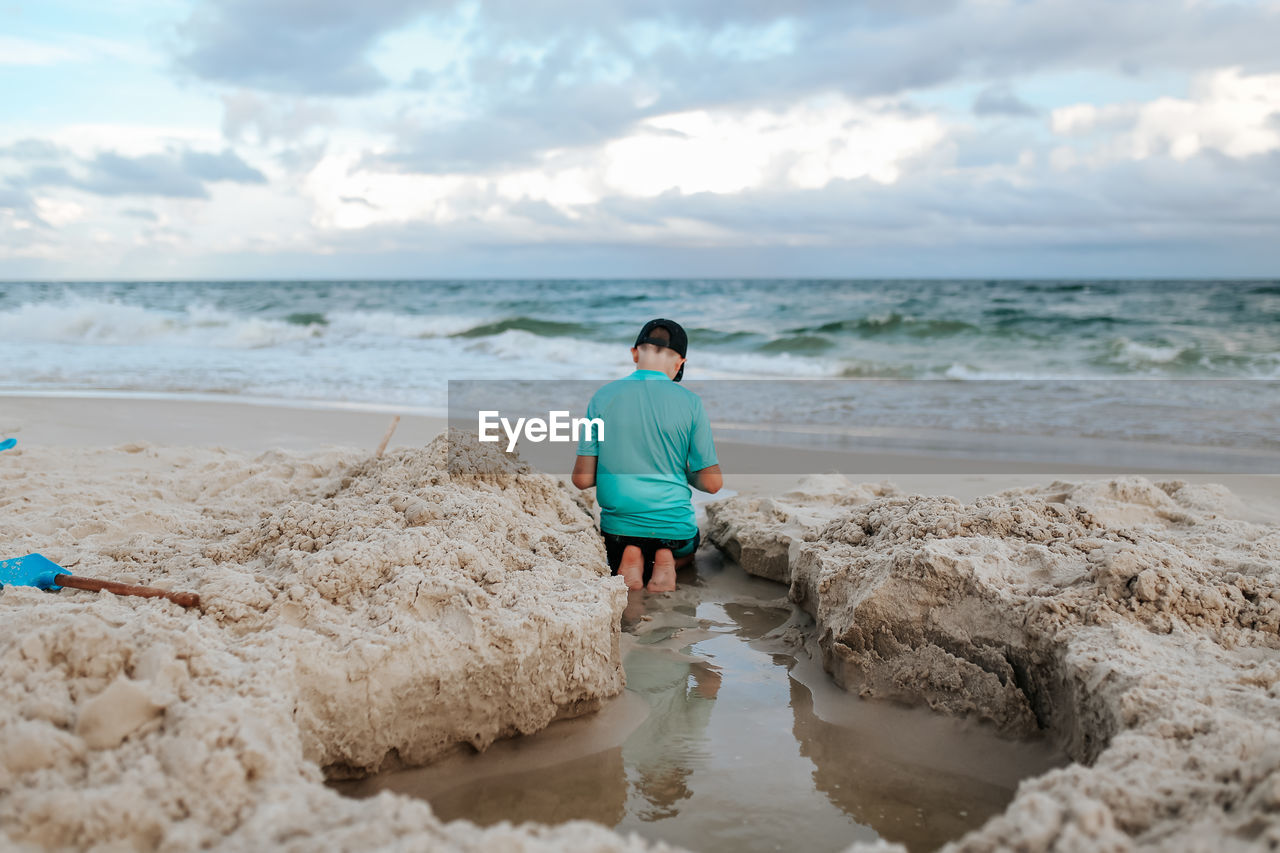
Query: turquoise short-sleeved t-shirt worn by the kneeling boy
[[655, 434]]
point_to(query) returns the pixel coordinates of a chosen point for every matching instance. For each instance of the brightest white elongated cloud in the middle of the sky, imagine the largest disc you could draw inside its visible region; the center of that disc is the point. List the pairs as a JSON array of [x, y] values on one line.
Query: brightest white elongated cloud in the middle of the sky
[[807, 145]]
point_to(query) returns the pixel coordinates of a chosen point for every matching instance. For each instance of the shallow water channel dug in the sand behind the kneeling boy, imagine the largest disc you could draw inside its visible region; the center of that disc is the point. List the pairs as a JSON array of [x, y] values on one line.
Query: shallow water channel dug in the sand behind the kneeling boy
[[730, 737]]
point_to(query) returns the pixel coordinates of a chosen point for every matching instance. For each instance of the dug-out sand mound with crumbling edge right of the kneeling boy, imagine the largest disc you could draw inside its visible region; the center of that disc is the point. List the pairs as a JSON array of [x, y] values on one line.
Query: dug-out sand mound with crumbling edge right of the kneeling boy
[[1139, 623]]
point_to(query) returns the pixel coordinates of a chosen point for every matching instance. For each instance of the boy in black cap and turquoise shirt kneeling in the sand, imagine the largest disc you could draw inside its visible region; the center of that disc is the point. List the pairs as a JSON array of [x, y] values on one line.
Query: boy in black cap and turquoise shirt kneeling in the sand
[[657, 443]]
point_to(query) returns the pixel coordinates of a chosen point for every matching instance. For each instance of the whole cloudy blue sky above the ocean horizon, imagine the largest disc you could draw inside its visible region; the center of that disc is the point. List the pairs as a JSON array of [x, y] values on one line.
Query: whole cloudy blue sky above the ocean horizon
[[428, 139]]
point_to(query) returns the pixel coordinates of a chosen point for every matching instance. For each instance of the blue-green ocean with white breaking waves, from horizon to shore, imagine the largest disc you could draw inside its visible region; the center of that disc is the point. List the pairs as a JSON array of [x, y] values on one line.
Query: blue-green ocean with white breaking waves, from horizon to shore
[[1048, 357]]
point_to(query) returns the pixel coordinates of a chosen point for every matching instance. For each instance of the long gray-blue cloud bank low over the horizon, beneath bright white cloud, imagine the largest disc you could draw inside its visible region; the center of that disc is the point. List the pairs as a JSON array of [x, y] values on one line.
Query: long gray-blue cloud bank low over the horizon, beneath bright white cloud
[[1084, 221]]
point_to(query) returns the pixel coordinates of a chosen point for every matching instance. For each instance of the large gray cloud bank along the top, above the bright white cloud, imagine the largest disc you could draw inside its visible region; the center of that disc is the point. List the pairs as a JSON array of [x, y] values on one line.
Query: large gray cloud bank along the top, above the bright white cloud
[[574, 94]]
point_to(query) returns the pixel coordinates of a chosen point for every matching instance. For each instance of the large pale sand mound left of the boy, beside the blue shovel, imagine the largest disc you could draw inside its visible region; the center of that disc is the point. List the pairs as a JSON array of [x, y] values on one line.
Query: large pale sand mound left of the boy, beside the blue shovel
[[358, 614]]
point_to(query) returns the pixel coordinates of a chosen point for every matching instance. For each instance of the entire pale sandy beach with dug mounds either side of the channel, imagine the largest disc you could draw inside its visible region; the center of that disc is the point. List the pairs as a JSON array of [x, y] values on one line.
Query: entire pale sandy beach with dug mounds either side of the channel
[[364, 615]]
